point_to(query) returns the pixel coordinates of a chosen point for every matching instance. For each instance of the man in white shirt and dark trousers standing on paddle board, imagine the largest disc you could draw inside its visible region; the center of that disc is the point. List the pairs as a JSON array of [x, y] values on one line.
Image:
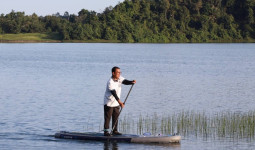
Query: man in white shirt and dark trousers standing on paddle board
[[112, 102]]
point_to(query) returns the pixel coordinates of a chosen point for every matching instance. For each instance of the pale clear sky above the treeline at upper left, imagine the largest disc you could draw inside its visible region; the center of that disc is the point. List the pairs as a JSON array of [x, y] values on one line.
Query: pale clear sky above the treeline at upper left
[[49, 7]]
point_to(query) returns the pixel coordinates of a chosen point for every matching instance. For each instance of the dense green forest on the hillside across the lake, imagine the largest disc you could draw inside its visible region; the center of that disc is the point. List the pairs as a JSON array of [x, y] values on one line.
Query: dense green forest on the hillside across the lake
[[146, 21]]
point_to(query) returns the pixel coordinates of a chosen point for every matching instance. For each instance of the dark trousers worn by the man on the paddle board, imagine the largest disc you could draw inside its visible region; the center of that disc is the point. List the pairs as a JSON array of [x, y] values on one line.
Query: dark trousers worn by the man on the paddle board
[[111, 112]]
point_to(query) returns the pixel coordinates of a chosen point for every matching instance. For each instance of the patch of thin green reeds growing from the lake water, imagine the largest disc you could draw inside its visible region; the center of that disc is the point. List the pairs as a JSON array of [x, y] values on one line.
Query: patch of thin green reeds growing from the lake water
[[220, 124]]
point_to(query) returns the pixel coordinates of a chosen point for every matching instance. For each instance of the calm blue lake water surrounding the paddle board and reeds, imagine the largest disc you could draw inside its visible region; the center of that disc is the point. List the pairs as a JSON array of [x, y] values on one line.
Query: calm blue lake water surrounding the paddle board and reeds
[[50, 87]]
